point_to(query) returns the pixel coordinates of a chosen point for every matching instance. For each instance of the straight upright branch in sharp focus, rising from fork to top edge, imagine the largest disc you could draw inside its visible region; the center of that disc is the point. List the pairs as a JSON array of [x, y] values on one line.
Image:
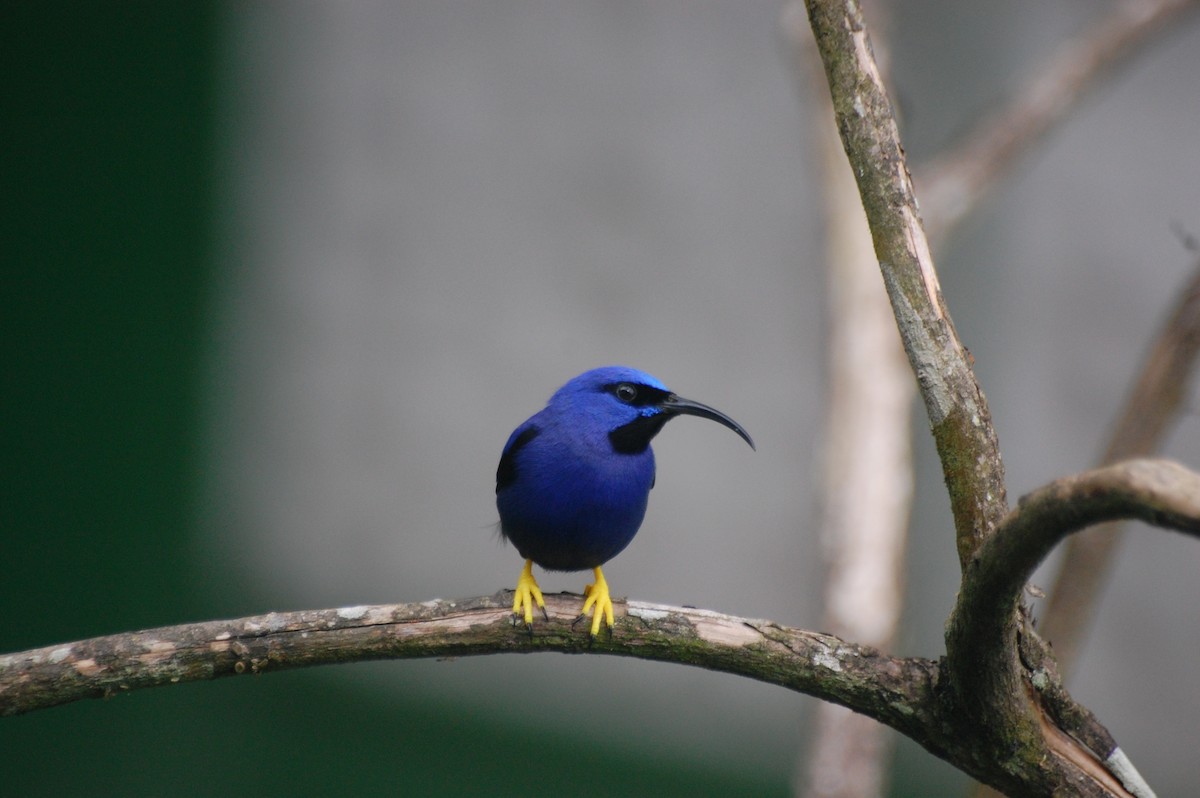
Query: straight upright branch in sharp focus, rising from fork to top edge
[[955, 403]]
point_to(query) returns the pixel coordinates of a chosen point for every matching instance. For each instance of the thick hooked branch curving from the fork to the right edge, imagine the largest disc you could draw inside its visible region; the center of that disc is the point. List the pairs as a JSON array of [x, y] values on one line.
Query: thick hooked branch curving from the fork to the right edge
[[994, 663]]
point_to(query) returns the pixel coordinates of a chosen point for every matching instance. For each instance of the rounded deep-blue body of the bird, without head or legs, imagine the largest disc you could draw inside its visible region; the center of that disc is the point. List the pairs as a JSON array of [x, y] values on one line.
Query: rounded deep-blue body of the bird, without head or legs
[[571, 502]]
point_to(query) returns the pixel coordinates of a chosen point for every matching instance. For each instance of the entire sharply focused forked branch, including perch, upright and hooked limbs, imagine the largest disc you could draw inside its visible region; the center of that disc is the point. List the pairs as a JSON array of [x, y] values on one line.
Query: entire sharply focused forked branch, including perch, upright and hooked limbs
[[993, 707]]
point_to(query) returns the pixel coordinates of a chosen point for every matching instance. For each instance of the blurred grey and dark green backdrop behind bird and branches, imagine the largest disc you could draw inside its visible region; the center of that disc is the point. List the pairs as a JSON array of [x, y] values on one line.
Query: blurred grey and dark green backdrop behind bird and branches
[[280, 279]]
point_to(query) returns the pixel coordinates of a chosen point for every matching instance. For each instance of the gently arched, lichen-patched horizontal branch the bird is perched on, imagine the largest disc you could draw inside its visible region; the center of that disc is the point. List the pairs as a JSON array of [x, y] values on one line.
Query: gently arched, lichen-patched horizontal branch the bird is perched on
[[893, 691]]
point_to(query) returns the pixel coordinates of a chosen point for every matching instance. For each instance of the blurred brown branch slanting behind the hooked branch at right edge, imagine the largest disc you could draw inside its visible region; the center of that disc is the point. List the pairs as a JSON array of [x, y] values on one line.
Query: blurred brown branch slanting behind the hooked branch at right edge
[[1151, 410]]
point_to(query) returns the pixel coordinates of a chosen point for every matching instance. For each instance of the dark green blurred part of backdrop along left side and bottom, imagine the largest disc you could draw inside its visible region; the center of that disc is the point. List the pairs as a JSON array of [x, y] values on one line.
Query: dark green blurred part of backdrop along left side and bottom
[[109, 163]]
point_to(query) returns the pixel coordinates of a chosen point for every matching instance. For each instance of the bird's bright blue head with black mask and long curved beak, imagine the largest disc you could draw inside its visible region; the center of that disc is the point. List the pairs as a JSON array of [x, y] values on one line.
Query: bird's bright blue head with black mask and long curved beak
[[631, 406]]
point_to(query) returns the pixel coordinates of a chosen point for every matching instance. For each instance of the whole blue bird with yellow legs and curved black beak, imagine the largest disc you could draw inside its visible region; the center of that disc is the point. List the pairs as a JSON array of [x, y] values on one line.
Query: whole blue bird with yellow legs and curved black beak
[[574, 479]]
